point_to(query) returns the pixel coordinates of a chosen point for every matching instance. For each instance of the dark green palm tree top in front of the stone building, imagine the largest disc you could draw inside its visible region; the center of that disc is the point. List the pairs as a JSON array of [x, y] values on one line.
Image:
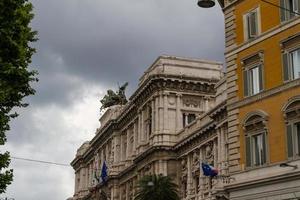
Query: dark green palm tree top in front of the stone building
[[156, 187]]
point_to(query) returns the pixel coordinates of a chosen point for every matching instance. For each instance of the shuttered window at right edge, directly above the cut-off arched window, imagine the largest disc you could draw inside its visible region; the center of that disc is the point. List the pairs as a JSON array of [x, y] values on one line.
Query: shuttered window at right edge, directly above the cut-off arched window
[[291, 65]]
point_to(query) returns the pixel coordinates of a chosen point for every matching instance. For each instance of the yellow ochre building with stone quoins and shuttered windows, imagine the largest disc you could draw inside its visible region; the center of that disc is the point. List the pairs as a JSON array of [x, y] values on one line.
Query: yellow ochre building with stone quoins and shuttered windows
[[263, 89]]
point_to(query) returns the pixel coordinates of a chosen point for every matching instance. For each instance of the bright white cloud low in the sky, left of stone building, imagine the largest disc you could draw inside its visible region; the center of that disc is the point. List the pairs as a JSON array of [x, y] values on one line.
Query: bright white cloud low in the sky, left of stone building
[[55, 134]]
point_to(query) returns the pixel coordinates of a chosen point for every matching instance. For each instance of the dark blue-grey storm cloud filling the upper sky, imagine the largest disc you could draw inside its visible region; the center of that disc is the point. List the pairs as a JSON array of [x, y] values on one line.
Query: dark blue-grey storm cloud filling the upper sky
[[115, 41]]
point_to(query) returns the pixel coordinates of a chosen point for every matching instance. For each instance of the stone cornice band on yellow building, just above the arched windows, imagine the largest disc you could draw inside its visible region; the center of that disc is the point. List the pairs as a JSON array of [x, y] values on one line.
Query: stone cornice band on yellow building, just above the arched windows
[[264, 94]]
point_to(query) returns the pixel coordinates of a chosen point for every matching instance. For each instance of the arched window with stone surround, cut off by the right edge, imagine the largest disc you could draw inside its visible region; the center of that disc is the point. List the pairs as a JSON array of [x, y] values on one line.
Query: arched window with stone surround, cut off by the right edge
[[291, 113]]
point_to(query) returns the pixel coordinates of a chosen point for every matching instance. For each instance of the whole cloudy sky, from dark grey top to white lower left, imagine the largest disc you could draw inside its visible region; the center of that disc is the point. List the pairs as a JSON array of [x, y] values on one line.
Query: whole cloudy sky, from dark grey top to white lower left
[[84, 48]]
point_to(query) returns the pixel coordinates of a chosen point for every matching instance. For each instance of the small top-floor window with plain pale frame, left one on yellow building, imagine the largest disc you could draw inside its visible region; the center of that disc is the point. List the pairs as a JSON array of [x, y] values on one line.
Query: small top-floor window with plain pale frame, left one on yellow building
[[251, 24]]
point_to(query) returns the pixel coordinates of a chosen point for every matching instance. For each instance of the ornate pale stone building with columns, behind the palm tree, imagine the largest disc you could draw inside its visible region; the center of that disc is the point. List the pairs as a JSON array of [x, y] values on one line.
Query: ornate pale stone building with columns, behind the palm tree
[[174, 120]]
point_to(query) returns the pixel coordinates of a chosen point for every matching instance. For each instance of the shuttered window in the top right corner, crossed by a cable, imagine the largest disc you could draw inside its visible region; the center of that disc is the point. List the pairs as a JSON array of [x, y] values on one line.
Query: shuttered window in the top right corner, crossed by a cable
[[289, 9]]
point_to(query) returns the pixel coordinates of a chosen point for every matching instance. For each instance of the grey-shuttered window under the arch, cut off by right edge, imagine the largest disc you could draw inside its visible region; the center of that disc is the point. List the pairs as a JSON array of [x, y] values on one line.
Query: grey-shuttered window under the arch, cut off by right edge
[[293, 140]]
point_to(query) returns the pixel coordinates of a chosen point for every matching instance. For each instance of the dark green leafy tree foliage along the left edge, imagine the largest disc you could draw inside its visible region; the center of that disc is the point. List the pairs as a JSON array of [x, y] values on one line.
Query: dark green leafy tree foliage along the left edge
[[15, 77]]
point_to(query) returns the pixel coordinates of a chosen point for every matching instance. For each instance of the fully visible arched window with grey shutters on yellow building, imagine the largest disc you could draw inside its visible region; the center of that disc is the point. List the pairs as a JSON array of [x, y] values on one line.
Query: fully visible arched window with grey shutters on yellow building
[[256, 139]]
